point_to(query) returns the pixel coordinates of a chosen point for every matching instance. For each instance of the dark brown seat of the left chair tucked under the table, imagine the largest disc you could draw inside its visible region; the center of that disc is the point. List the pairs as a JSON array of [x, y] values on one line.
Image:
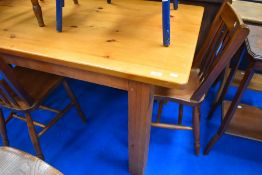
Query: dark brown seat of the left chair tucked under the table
[[37, 84]]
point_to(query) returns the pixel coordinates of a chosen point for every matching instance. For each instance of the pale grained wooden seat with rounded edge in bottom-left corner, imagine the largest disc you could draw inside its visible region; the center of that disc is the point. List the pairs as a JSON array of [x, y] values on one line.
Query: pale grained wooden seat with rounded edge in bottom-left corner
[[13, 161]]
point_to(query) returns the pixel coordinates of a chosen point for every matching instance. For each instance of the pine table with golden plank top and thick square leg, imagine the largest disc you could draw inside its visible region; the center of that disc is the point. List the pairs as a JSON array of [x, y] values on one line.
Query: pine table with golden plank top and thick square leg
[[116, 47]]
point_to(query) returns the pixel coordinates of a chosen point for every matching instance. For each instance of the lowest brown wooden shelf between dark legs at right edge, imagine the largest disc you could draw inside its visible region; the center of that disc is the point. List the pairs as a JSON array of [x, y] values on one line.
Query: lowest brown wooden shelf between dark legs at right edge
[[246, 122]]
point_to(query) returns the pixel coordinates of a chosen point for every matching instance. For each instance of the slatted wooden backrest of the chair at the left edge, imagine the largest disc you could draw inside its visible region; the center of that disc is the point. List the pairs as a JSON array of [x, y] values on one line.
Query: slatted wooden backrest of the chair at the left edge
[[11, 92]]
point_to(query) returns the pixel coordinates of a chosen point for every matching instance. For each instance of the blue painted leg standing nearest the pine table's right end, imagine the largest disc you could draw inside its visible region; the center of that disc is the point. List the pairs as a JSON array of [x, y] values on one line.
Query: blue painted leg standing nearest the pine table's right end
[[166, 22]]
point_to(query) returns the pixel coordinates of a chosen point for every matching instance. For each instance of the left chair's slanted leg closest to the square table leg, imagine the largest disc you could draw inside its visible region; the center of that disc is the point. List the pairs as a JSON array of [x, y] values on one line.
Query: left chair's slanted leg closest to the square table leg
[[74, 101]]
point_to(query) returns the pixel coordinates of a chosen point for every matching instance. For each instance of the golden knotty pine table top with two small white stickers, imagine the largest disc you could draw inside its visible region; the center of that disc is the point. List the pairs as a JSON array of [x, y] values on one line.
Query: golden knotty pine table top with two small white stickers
[[123, 39]]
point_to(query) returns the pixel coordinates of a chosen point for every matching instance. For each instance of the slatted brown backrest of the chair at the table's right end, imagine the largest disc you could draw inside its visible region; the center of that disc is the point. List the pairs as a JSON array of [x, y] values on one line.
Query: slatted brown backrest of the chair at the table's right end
[[225, 37]]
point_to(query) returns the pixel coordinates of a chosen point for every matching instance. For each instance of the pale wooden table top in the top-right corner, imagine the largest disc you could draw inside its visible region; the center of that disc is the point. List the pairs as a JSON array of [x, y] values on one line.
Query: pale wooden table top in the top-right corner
[[249, 11]]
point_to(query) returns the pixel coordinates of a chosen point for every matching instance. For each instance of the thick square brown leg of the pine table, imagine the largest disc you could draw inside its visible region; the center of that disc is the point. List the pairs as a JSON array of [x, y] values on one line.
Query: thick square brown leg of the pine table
[[140, 102]]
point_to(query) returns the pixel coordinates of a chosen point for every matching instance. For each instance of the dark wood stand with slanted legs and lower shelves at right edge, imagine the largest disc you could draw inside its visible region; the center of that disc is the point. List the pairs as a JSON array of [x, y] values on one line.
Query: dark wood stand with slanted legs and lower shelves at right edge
[[243, 122]]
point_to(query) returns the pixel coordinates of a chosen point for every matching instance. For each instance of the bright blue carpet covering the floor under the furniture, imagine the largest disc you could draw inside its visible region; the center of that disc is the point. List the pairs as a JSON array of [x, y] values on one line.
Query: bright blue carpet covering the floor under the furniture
[[100, 145]]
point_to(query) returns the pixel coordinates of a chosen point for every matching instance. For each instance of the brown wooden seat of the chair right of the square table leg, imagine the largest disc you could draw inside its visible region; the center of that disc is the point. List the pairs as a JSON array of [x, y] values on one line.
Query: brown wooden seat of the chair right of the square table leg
[[181, 95]]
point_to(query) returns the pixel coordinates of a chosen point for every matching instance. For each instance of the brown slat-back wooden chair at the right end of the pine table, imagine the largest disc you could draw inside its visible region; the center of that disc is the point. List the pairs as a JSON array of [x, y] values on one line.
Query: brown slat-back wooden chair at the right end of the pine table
[[226, 35]]
